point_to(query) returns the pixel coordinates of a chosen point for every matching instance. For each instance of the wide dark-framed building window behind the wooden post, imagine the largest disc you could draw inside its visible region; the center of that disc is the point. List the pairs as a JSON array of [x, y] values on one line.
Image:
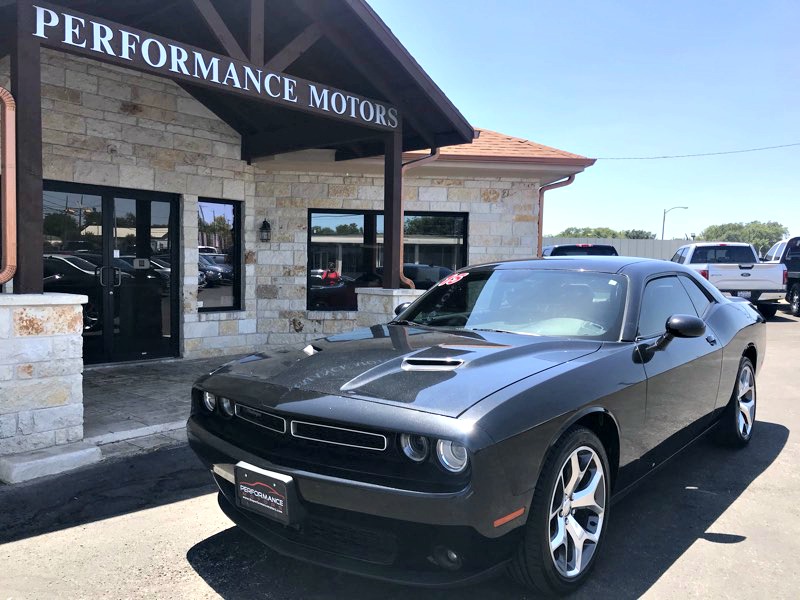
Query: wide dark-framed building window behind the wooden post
[[345, 252]]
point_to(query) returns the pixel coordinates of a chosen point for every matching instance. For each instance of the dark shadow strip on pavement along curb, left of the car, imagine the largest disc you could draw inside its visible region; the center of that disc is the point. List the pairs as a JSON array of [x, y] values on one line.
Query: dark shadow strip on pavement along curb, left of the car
[[101, 491]]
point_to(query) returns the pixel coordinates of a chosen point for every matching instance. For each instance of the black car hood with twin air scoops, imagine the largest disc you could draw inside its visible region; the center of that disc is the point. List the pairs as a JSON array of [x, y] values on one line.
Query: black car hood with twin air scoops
[[428, 370]]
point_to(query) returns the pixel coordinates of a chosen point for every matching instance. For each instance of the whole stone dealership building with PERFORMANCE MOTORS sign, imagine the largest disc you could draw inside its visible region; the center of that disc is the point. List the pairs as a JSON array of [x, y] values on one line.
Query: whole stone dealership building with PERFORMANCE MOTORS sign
[[141, 169]]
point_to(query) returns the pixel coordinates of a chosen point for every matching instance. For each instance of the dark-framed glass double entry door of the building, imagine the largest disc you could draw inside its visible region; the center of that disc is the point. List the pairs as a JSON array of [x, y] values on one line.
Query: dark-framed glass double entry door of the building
[[120, 253]]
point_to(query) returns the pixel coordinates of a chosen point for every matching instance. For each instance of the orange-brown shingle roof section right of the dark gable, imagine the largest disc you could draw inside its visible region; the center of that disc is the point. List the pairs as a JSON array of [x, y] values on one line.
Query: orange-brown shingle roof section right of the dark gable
[[499, 147]]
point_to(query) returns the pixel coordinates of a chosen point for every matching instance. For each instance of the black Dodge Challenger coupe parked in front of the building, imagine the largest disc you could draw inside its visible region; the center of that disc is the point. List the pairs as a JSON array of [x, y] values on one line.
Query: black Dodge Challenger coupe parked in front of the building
[[488, 427]]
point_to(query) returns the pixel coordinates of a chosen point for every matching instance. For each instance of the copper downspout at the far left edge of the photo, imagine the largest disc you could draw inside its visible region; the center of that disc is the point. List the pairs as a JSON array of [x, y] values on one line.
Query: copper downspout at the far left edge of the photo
[[8, 186]]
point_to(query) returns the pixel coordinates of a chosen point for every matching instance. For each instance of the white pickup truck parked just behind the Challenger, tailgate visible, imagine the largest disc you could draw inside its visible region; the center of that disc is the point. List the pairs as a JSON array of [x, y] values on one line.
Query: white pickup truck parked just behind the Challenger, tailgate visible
[[734, 268]]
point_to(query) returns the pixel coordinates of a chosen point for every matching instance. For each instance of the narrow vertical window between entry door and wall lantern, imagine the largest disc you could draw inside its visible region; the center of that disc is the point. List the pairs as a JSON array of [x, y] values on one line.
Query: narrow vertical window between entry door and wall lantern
[[219, 265]]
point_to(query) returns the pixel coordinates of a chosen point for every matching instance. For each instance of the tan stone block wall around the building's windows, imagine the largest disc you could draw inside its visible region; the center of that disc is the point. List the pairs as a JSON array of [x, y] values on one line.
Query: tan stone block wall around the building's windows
[[107, 125]]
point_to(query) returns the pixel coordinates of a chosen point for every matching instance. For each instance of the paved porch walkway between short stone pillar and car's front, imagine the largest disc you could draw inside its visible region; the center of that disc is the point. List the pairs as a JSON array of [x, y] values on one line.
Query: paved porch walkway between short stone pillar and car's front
[[143, 405]]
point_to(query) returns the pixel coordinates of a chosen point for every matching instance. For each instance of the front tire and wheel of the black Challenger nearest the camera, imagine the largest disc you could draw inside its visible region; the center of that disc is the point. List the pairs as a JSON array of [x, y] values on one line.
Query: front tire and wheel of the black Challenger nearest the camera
[[542, 561]]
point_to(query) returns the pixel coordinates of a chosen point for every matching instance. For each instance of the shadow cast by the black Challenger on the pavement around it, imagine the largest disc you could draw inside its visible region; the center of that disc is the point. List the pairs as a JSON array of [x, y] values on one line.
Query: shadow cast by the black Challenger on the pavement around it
[[650, 529]]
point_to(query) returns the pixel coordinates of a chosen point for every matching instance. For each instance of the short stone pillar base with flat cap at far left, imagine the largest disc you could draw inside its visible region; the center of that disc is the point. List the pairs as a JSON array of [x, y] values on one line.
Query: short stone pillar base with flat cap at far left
[[41, 386]]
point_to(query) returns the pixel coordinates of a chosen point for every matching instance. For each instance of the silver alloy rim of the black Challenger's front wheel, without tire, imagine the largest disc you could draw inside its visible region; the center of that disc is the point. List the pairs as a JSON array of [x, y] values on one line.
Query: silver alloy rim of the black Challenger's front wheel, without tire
[[577, 508]]
